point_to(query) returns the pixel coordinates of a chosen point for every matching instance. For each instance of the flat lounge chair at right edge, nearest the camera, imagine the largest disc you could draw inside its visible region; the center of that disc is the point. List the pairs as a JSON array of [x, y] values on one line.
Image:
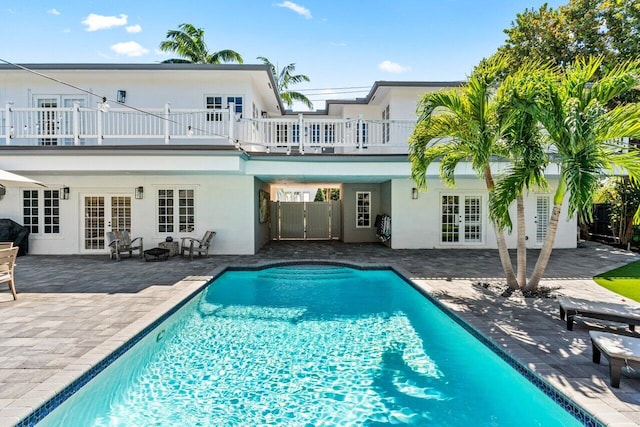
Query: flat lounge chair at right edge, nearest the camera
[[620, 350]]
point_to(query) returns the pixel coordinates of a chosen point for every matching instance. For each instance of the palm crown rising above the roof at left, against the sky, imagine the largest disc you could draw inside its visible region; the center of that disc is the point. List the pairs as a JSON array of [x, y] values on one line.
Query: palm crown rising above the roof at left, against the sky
[[188, 42]]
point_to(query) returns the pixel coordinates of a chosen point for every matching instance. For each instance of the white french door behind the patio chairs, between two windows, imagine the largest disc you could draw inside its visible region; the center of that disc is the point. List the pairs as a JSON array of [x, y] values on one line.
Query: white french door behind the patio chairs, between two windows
[[102, 213]]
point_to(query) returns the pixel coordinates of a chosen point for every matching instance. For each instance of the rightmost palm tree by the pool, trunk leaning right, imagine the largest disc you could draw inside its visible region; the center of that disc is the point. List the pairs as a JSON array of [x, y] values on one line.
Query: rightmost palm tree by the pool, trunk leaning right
[[586, 135]]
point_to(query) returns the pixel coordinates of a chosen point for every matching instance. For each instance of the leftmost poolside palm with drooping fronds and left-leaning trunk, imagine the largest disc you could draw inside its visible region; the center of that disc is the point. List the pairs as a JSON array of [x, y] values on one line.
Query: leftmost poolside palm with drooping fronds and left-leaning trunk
[[463, 124]]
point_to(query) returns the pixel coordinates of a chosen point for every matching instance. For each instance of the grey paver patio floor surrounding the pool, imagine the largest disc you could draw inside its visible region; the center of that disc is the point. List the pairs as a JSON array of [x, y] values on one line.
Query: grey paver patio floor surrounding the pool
[[72, 310]]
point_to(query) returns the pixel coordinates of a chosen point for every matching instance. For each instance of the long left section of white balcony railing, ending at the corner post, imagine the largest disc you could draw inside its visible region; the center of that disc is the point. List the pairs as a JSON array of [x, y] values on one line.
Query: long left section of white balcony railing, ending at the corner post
[[92, 126]]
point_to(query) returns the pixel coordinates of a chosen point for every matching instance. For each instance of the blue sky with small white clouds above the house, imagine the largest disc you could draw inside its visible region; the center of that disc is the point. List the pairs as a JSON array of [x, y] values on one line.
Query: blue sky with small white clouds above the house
[[338, 44]]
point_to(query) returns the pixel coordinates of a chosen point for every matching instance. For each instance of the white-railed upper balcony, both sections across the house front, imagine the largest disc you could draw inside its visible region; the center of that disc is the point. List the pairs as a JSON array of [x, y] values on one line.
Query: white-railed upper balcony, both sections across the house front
[[121, 126]]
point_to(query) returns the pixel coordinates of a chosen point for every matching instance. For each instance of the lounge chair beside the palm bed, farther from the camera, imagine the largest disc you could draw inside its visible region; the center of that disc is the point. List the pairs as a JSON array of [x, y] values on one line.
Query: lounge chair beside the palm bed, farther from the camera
[[614, 312]]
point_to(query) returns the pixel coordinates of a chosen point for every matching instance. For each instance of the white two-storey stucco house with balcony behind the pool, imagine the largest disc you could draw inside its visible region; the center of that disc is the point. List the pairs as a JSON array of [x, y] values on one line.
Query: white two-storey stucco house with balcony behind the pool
[[178, 149]]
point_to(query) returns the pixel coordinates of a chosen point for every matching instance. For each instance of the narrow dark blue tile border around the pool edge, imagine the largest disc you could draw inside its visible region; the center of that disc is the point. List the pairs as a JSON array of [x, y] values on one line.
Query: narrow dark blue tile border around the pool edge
[[579, 413]]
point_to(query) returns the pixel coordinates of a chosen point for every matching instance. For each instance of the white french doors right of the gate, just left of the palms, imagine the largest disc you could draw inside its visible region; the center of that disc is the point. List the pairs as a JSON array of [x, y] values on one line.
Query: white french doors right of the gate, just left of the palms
[[461, 219]]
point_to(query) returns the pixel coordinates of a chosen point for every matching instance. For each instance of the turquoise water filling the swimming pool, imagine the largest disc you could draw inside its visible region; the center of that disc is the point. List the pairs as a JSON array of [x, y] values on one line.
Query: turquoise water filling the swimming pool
[[309, 346]]
